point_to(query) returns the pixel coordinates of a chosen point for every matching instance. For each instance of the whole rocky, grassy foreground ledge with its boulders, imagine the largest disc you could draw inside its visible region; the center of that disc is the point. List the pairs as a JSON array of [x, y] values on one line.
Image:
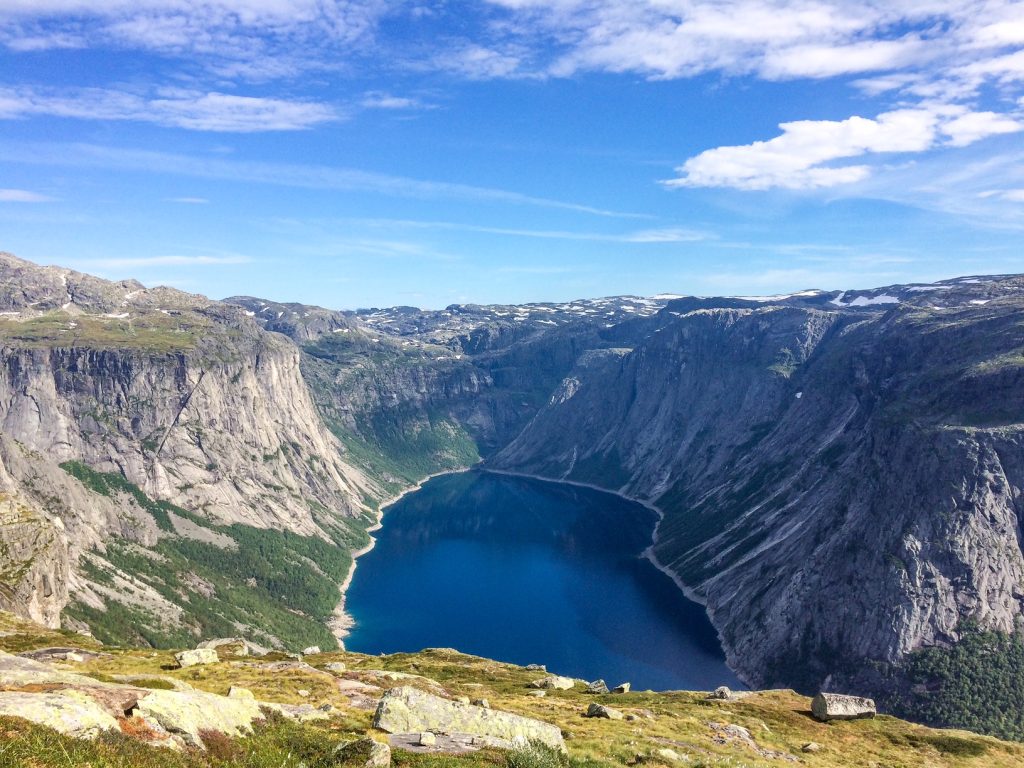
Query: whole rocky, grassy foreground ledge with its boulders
[[68, 701]]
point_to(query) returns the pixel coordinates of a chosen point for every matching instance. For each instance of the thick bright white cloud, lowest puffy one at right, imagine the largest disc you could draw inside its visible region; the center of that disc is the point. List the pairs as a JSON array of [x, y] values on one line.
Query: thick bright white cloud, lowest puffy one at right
[[804, 156]]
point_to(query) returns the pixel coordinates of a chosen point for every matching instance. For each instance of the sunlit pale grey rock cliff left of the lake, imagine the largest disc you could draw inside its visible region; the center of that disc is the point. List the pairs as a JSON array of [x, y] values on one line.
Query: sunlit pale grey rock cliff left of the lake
[[181, 419]]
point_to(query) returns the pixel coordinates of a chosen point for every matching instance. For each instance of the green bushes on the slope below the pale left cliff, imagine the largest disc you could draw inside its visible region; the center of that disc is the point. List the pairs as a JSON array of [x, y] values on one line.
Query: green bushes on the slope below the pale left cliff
[[279, 584]]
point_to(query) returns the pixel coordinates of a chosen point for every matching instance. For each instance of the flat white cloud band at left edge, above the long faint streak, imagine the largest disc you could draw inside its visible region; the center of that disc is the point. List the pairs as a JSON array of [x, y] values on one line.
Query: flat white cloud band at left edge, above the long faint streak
[[183, 109]]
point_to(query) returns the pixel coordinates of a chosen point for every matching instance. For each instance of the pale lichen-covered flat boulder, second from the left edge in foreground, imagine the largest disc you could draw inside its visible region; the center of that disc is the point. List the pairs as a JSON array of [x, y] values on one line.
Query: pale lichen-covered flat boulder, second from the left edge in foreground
[[188, 714]]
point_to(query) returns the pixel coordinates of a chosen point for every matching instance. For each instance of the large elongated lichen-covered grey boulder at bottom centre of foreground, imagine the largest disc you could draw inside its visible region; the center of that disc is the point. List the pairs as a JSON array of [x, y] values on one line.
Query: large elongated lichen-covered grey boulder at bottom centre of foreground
[[409, 710]]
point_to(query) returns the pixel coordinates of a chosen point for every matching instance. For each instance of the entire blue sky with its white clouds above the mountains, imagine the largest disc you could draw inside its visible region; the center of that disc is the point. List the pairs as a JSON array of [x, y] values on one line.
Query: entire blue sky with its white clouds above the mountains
[[369, 153]]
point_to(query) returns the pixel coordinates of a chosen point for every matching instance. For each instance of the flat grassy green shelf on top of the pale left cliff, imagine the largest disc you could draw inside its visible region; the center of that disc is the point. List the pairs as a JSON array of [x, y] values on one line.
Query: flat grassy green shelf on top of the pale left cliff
[[154, 332]]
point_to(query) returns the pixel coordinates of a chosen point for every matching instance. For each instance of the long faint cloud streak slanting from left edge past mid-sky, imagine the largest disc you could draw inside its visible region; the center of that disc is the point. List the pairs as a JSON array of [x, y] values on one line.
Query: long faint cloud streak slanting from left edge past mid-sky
[[282, 175]]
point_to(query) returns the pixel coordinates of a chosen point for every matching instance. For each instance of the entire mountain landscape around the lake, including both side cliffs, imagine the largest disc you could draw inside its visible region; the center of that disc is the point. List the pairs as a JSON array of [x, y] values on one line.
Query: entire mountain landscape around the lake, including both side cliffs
[[839, 474]]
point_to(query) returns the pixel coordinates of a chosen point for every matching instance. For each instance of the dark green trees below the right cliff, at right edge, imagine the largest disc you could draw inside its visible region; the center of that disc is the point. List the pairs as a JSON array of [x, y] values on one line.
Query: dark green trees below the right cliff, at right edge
[[976, 685]]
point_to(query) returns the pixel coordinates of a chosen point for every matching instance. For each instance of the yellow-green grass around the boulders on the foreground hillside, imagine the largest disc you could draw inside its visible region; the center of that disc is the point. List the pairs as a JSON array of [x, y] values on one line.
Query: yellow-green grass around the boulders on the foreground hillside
[[690, 724]]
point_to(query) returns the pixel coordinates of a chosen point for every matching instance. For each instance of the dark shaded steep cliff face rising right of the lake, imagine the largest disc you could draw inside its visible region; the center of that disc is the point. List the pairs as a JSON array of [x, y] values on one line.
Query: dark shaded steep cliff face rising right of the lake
[[839, 488]]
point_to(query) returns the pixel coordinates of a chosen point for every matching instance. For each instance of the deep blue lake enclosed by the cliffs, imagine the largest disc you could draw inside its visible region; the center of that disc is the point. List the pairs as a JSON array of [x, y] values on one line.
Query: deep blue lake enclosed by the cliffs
[[527, 572]]
